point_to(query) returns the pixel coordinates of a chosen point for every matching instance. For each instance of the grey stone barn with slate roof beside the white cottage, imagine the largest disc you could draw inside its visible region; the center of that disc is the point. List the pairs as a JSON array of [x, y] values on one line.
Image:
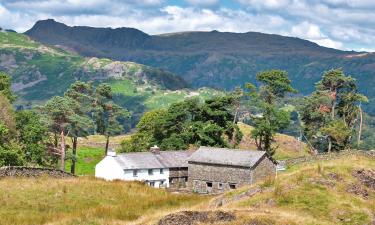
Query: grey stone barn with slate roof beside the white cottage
[[215, 170]]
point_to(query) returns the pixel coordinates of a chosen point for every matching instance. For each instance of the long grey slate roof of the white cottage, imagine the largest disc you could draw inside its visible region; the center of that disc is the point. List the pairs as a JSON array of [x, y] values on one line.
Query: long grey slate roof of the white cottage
[[149, 160]]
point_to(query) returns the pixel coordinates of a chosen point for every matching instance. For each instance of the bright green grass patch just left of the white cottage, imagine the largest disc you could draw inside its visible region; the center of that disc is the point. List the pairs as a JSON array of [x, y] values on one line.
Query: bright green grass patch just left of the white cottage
[[87, 158]]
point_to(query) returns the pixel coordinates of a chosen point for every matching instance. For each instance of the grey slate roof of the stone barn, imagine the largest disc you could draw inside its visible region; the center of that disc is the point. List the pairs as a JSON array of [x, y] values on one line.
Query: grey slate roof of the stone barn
[[225, 156]]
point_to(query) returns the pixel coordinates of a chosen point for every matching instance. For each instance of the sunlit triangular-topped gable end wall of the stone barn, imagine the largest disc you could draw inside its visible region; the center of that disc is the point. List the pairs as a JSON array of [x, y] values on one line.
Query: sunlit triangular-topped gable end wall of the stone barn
[[263, 170]]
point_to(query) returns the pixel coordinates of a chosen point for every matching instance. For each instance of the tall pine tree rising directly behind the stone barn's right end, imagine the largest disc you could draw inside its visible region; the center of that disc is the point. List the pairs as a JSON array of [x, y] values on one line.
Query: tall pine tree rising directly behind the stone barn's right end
[[274, 85]]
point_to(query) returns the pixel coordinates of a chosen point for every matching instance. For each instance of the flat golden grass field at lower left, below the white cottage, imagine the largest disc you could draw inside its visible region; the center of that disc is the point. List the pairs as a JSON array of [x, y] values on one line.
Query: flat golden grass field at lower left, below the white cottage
[[83, 201]]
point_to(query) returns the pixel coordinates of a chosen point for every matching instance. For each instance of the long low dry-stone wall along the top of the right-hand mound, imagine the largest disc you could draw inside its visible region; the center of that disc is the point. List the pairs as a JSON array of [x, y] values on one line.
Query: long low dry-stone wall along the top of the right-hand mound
[[329, 156]]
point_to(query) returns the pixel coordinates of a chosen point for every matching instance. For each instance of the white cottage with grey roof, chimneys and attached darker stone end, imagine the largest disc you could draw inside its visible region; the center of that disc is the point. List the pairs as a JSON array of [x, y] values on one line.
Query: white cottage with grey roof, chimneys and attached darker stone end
[[156, 168]]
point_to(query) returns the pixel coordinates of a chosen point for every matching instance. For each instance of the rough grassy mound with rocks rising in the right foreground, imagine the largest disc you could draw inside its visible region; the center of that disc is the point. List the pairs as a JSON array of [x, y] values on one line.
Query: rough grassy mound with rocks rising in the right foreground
[[307, 194]]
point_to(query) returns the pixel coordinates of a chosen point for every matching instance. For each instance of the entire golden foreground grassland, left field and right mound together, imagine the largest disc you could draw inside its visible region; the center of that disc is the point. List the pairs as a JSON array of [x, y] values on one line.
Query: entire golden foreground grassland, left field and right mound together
[[309, 193]]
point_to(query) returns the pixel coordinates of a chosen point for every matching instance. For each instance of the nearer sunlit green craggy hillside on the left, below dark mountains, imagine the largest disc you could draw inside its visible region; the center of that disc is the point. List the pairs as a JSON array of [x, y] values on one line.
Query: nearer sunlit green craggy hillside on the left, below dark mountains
[[39, 72]]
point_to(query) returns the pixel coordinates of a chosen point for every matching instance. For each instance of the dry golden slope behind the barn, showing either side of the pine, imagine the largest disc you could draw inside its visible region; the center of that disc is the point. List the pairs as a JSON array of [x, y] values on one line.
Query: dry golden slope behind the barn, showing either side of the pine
[[288, 147]]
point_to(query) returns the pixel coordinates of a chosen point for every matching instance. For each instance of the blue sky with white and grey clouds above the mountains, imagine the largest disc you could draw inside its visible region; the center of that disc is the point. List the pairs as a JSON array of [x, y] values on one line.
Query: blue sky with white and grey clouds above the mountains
[[341, 24]]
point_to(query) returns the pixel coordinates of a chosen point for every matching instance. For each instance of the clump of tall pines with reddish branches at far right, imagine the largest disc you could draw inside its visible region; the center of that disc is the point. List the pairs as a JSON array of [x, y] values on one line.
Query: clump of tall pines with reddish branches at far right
[[332, 111]]
